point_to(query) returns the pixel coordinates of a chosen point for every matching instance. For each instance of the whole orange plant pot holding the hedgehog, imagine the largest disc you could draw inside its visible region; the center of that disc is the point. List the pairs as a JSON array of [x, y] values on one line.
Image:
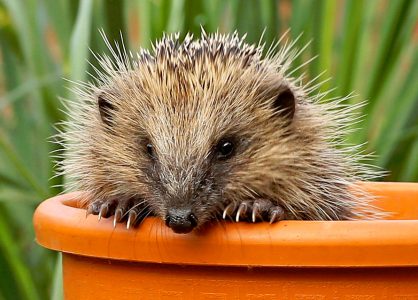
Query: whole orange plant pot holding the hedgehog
[[286, 260]]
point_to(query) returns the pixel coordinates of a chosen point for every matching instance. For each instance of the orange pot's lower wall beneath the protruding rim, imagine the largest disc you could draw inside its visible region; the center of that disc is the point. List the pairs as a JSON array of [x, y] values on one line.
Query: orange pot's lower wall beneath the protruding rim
[[93, 278]]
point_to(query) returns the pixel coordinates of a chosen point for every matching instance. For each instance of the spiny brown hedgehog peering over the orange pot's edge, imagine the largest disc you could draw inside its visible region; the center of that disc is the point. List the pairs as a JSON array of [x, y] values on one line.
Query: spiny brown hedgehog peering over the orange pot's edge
[[200, 130]]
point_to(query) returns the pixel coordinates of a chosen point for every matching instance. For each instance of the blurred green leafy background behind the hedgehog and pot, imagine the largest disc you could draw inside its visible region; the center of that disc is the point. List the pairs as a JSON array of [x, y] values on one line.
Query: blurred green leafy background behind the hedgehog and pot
[[369, 47]]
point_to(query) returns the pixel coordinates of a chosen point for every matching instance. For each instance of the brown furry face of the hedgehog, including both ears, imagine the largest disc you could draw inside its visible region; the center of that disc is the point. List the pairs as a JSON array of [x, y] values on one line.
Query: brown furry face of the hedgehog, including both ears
[[189, 140]]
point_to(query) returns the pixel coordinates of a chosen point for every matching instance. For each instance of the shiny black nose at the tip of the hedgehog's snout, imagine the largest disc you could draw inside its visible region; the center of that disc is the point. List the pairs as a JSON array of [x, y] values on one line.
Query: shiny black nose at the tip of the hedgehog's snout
[[181, 220]]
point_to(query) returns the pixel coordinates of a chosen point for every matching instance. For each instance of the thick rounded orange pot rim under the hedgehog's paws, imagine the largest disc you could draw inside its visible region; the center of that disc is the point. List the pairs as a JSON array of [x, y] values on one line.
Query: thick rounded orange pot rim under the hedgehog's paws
[[61, 226]]
